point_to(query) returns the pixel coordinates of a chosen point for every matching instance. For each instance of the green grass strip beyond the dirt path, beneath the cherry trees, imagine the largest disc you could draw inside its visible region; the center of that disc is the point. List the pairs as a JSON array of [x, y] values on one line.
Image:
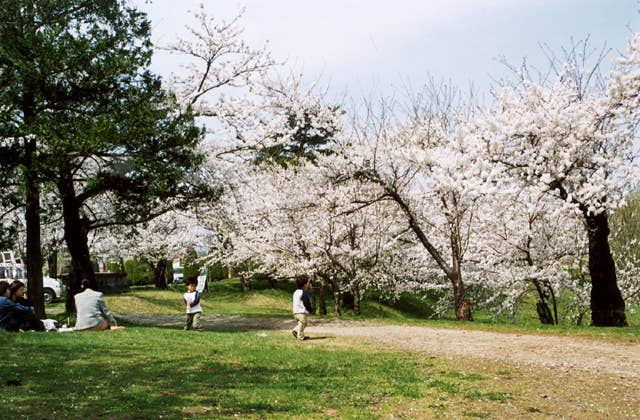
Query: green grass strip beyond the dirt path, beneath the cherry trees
[[227, 298]]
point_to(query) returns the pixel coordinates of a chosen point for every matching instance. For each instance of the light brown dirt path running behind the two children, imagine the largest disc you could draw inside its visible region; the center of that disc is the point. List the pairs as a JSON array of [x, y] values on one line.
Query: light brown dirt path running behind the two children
[[621, 360]]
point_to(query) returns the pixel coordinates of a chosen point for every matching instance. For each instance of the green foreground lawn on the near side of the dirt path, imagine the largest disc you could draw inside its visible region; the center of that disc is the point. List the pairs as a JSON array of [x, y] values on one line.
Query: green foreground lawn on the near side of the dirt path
[[148, 373]]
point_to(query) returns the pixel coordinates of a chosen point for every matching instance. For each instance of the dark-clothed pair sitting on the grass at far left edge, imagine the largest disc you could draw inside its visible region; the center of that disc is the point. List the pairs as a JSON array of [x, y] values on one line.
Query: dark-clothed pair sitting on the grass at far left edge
[[14, 316]]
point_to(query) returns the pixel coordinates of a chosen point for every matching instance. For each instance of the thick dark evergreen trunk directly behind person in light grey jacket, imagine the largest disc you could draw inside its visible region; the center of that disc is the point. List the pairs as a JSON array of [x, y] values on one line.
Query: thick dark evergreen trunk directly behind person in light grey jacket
[[76, 231]]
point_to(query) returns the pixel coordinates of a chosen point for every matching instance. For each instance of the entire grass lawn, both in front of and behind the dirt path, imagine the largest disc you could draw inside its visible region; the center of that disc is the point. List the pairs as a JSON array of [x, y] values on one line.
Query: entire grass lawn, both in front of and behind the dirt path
[[144, 372]]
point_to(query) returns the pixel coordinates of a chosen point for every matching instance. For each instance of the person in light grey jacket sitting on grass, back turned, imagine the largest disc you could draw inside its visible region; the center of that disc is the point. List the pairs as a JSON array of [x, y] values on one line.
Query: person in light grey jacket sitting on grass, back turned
[[93, 314]]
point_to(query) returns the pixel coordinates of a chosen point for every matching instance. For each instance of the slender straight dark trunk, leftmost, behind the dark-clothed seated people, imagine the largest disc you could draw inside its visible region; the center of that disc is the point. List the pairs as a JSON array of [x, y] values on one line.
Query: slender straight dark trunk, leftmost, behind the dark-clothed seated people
[[34, 250]]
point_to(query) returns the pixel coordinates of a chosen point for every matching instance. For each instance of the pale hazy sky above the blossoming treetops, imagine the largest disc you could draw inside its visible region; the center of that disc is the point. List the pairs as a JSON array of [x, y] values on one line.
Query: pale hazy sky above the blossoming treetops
[[363, 48]]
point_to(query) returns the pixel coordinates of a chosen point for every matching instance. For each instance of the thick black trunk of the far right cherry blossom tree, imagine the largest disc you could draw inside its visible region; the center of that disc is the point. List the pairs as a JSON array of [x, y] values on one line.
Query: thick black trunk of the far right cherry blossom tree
[[607, 305]]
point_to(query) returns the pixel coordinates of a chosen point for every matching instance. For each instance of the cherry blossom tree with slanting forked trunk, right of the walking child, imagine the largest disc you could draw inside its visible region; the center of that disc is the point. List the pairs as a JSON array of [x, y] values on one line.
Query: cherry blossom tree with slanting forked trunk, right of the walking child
[[421, 165]]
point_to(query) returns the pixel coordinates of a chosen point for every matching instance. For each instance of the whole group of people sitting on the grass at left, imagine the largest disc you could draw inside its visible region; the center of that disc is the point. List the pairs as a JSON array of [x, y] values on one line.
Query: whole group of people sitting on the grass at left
[[17, 314]]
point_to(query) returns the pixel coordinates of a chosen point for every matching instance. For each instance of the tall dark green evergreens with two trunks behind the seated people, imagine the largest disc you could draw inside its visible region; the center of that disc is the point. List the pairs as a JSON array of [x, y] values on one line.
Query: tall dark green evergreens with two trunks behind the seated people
[[90, 119]]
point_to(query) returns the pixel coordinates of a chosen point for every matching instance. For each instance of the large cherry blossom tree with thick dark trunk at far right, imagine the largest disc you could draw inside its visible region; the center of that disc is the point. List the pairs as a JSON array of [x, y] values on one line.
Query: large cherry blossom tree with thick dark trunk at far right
[[574, 141]]
